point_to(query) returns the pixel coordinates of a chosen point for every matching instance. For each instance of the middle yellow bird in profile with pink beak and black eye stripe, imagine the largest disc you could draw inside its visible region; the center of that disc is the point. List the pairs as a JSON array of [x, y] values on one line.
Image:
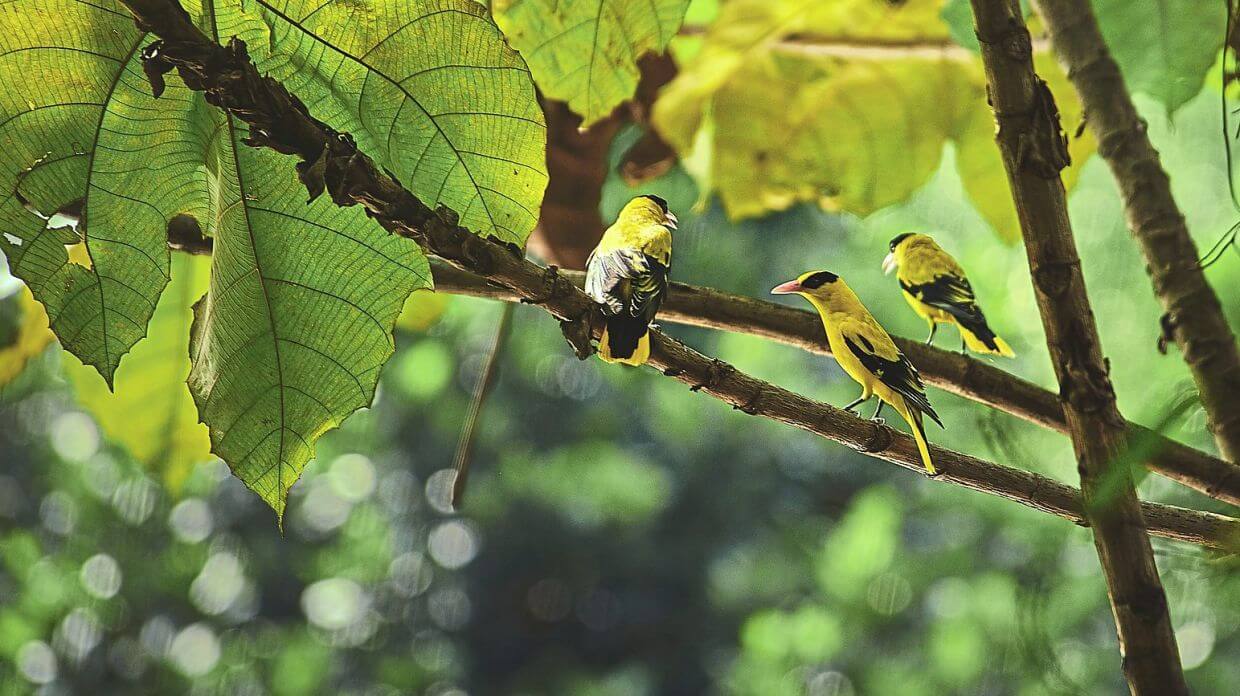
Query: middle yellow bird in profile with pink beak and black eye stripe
[[866, 353]]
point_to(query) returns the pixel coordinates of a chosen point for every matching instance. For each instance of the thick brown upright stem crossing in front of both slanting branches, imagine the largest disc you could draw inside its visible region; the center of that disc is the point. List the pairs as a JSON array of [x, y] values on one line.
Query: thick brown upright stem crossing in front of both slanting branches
[[1035, 151]]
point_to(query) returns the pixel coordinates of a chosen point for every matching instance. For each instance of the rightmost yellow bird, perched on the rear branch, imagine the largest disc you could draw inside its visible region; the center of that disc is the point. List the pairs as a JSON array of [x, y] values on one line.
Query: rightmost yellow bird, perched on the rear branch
[[937, 288]]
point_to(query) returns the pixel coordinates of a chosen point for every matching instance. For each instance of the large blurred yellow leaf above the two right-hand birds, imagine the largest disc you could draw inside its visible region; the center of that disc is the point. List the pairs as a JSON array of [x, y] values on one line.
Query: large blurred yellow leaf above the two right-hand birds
[[767, 123]]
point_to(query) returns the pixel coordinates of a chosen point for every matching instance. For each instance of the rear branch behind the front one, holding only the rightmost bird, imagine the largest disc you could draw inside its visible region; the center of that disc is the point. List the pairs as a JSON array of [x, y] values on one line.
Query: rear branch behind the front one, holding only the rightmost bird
[[950, 372]]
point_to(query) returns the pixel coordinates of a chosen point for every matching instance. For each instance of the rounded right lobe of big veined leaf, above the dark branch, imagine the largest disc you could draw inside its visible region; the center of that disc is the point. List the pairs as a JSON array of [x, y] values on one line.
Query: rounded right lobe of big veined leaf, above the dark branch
[[427, 87]]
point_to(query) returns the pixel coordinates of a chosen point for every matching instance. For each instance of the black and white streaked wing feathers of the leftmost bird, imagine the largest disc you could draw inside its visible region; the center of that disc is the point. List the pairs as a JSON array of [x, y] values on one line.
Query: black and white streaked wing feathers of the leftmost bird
[[627, 282]]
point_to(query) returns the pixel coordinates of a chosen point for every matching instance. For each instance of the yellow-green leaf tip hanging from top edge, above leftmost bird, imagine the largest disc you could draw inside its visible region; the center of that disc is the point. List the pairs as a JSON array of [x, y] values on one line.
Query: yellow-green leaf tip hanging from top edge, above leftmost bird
[[586, 53]]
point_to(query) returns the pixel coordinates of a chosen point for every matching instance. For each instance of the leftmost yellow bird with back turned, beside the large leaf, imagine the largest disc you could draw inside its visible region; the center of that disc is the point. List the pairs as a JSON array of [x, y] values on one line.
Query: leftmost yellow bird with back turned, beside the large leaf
[[627, 274]]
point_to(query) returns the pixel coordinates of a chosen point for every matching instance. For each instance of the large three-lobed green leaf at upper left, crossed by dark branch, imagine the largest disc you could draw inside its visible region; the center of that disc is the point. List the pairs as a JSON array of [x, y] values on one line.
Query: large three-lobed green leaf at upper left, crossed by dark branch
[[298, 322]]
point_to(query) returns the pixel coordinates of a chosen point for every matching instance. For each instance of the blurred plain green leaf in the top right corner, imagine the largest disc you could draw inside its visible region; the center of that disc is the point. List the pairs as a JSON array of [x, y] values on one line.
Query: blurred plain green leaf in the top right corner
[[1165, 48]]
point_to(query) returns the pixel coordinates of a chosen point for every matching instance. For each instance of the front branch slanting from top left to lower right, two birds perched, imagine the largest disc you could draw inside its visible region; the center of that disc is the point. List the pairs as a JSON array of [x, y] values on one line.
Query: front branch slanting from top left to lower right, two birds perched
[[280, 121]]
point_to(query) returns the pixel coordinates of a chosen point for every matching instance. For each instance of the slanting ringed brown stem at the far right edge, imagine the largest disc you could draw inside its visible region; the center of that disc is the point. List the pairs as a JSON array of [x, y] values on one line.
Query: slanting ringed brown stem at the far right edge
[[1193, 312]]
